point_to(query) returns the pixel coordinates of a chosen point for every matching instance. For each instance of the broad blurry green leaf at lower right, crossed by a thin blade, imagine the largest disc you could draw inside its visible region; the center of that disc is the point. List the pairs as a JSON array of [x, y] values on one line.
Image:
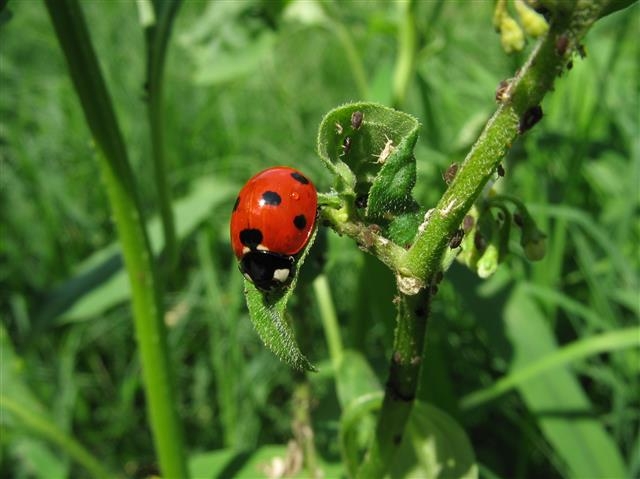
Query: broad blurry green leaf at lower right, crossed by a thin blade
[[576, 435]]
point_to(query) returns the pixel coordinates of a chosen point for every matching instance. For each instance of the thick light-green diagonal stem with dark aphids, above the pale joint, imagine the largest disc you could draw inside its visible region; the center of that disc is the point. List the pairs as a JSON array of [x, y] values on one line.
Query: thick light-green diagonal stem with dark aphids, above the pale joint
[[526, 90]]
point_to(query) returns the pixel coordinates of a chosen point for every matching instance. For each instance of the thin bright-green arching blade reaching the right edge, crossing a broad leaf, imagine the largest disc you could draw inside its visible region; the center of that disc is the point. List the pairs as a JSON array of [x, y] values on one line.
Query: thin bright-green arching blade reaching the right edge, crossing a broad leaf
[[575, 351]]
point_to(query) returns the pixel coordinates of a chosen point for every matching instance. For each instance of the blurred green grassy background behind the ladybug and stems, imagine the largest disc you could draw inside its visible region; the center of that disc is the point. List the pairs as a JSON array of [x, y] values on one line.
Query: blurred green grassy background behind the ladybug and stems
[[246, 85]]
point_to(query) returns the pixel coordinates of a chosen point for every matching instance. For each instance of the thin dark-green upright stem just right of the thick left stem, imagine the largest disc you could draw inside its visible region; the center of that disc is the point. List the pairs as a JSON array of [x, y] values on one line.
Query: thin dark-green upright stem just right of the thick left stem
[[157, 37]]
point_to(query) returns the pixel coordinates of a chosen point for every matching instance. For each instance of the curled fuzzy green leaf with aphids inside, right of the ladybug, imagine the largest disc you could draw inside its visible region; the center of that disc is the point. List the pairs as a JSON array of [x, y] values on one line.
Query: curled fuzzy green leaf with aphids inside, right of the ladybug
[[373, 161]]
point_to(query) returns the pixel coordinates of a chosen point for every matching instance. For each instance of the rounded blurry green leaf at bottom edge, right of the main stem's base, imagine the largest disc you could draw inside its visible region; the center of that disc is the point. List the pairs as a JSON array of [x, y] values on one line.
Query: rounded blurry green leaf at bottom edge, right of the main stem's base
[[434, 446]]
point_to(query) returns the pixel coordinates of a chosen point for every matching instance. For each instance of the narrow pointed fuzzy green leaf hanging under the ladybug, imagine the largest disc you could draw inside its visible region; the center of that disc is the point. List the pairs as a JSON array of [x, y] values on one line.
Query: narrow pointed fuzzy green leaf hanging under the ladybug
[[268, 315]]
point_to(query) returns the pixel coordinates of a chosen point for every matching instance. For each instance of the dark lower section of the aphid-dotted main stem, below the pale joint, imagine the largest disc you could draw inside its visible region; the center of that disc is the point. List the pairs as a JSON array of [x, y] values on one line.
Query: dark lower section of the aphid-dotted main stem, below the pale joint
[[400, 392]]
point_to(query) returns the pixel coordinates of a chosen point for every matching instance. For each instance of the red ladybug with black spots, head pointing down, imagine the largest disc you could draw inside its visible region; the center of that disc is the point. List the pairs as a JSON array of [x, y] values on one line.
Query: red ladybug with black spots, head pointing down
[[272, 221]]
